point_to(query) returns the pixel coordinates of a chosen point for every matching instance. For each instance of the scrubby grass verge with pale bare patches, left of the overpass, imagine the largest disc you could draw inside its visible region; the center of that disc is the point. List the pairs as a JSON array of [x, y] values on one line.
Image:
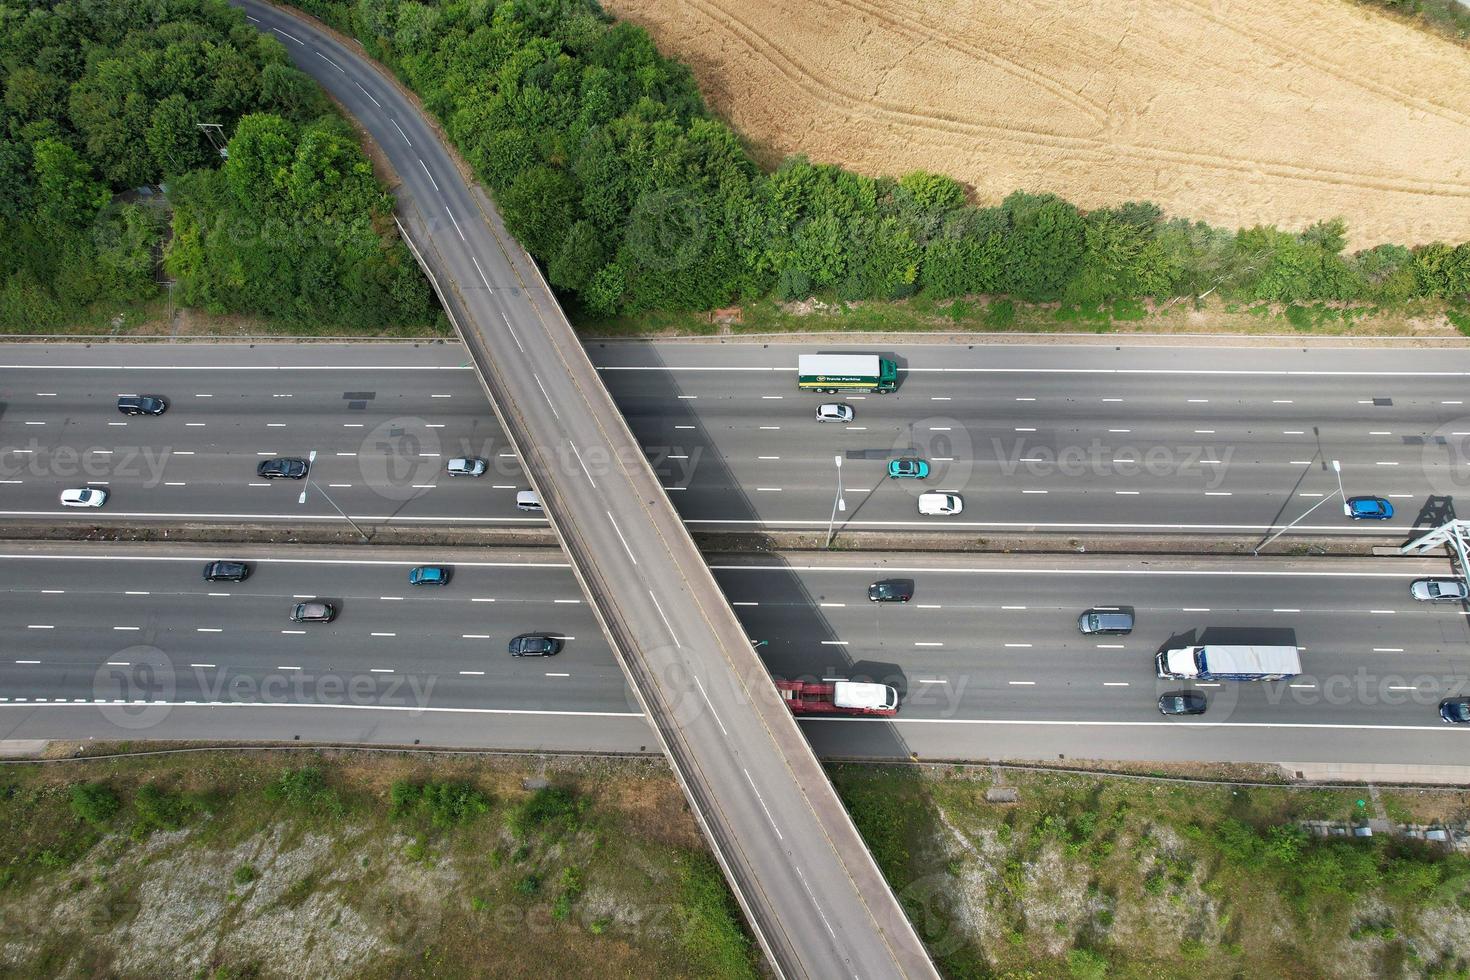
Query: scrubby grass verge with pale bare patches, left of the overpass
[[230, 865]]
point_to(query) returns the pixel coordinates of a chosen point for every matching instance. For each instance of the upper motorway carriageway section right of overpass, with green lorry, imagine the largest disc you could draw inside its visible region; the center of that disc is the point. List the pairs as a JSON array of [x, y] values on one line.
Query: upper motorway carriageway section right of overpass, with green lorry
[[1071, 439]]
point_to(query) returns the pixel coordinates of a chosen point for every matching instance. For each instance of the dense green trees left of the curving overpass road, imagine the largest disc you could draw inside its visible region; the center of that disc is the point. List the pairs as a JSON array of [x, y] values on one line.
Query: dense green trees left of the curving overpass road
[[101, 99]]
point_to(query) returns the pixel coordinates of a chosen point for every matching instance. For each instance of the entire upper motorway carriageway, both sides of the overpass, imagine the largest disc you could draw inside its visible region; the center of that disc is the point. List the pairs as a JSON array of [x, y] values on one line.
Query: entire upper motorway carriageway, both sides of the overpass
[[1039, 439]]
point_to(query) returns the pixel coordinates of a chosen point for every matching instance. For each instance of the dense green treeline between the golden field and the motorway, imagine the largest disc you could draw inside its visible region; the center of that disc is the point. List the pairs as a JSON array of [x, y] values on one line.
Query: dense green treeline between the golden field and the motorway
[[608, 167]]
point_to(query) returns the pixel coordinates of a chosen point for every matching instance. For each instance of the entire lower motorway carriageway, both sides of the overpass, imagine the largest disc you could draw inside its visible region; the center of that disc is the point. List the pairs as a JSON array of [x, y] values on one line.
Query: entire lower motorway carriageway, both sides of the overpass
[[987, 656]]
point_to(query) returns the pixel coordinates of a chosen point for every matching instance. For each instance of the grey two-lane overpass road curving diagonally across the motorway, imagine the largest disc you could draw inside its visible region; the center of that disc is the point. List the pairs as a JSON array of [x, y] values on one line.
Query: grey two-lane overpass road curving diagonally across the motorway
[[797, 865]]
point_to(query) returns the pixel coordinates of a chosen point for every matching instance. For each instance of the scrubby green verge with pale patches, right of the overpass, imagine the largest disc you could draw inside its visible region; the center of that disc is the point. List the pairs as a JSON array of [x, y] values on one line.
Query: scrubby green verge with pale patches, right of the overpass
[[1089, 876]]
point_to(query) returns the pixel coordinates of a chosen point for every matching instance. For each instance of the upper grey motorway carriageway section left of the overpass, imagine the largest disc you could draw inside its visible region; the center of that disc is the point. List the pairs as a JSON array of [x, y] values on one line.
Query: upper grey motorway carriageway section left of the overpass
[[379, 425]]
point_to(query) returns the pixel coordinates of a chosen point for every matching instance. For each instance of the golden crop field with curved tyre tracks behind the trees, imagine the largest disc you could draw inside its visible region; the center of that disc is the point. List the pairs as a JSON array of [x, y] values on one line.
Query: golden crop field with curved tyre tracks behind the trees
[[1237, 112]]
